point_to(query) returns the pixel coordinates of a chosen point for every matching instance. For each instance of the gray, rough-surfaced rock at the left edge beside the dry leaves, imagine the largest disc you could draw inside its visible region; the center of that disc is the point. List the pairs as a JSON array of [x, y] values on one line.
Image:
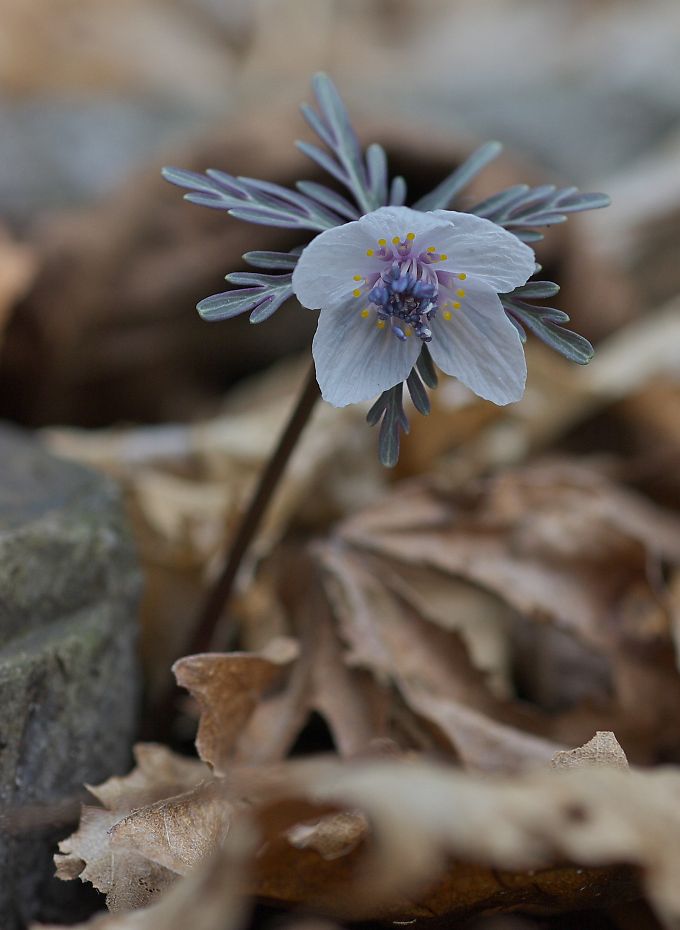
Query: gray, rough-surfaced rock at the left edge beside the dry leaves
[[69, 679]]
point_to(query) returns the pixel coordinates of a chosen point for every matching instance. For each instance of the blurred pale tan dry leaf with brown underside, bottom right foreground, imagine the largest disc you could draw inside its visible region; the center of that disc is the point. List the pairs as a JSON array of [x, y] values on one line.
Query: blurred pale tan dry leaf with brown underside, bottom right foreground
[[438, 835]]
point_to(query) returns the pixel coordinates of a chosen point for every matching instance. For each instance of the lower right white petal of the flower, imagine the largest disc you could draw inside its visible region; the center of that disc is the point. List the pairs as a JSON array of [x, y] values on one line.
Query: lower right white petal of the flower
[[480, 346]]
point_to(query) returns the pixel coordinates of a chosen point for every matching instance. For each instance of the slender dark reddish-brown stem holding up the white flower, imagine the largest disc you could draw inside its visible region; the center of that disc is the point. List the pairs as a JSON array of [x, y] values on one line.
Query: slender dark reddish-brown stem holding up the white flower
[[218, 596]]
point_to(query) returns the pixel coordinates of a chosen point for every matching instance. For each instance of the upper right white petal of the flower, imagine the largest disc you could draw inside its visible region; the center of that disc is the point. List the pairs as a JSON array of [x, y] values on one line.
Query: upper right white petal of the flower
[[481, 248]]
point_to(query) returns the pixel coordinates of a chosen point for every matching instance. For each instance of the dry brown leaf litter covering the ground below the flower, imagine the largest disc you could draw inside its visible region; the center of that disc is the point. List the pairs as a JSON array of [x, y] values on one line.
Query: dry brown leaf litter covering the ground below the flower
[[491, 646]]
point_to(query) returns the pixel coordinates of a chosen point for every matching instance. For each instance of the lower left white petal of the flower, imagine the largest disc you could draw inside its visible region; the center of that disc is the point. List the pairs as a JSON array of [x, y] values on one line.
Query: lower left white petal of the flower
[[355, 360]]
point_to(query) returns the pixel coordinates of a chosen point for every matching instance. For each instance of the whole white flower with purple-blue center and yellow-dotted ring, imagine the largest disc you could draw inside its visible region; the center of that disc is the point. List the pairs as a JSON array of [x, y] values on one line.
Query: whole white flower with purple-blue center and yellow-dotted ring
[[399, 278]]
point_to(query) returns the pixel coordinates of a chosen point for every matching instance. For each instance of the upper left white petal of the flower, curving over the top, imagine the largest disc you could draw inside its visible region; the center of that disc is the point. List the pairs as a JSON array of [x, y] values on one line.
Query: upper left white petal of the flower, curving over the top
[[326, 268]]
